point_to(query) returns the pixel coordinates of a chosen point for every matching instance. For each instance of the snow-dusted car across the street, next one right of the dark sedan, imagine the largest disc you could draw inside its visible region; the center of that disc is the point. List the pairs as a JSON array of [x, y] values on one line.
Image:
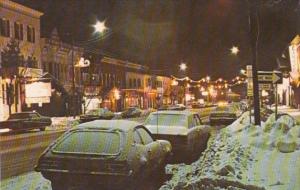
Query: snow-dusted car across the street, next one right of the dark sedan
[[101, 113]]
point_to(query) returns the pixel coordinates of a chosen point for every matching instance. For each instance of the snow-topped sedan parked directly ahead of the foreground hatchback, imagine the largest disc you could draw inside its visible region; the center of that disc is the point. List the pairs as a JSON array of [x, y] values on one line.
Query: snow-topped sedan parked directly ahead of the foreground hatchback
[[183, 129]]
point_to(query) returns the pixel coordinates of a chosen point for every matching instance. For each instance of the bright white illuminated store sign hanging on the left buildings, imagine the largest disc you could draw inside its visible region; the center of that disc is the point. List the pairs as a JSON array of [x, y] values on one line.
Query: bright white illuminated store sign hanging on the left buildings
[[37, 92]]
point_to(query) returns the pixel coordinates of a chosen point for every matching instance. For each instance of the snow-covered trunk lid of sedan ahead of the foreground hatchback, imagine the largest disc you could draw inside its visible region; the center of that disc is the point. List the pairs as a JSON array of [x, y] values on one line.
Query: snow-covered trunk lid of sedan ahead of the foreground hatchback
[[167, 130]]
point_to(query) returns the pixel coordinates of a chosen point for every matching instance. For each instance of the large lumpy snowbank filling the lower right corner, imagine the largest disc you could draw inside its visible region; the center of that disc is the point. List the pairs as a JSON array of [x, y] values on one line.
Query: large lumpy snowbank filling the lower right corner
[[244, 156]]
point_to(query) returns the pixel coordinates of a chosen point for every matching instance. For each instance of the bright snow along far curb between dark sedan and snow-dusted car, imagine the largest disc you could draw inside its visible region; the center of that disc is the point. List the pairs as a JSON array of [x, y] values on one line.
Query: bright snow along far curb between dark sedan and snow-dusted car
[[64, 122]]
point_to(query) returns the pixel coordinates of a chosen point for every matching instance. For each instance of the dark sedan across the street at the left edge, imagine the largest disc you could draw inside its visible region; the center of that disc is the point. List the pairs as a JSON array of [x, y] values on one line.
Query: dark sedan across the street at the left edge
[[26, 121]]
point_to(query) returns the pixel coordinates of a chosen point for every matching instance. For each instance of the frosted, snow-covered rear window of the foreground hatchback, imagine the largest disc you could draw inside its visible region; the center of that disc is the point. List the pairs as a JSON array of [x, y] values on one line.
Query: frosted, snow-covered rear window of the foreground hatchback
[[90, 142]]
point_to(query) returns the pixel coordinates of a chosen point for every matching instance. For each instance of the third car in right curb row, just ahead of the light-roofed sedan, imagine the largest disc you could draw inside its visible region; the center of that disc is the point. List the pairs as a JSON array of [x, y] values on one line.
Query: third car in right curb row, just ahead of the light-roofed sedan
[[223, 115]]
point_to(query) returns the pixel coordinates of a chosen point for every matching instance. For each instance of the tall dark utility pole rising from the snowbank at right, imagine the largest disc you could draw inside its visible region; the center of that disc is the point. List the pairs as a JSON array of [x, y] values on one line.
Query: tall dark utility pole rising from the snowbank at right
[[253, 31]]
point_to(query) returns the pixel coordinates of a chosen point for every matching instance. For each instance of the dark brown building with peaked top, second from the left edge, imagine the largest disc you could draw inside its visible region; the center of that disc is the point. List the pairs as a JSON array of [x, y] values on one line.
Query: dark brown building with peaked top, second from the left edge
[[59, 59]]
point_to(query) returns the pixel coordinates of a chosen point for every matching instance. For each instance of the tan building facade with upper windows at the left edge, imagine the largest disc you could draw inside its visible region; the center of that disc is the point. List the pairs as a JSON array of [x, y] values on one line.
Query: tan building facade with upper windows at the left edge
[[19, 32]]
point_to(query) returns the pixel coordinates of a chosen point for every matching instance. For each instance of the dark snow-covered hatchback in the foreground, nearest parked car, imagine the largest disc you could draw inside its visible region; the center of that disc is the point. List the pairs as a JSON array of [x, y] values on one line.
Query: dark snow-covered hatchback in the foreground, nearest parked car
[[110, 152]]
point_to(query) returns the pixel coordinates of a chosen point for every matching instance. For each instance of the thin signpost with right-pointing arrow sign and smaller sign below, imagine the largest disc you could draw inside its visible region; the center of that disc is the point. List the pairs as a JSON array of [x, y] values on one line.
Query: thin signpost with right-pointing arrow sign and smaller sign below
[[266, 79]]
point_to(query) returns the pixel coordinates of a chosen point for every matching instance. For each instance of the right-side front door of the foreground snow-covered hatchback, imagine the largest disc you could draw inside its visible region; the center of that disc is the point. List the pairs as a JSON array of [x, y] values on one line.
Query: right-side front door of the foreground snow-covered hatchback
[[152, 148]]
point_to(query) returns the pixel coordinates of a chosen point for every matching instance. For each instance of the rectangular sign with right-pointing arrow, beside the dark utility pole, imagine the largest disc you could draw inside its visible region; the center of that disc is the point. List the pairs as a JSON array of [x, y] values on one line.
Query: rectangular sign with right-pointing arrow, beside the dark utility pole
[[269, 77]]
